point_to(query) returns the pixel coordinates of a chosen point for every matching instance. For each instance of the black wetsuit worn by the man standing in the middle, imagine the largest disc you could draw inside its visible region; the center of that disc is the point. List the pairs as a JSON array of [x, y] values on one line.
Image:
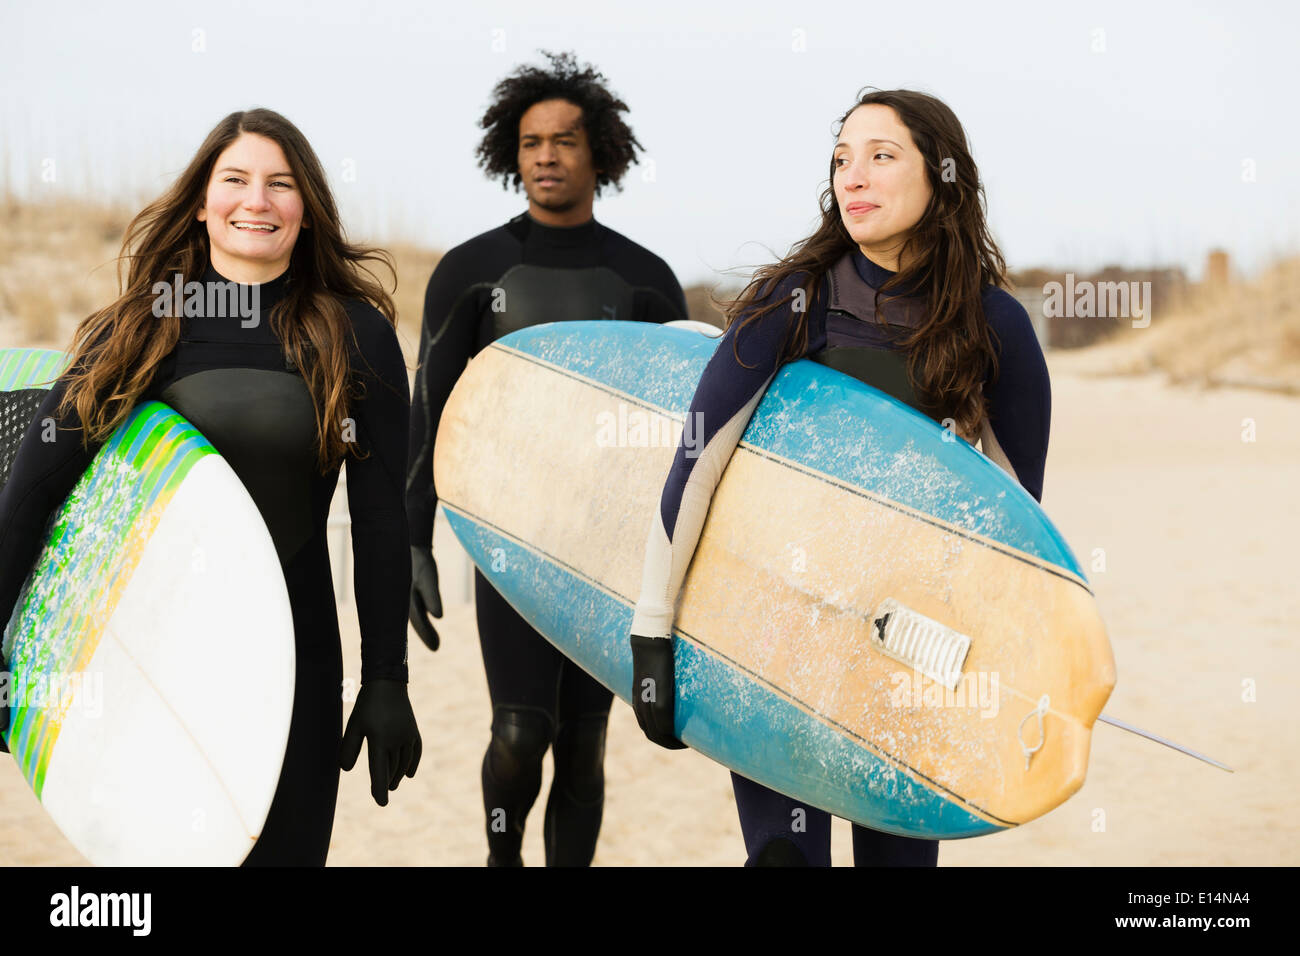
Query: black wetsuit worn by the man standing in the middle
[[519, 275]]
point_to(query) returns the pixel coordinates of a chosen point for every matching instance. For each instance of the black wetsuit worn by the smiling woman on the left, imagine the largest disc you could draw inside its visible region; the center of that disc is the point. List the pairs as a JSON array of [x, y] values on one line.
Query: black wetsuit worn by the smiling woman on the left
[[231, 379]]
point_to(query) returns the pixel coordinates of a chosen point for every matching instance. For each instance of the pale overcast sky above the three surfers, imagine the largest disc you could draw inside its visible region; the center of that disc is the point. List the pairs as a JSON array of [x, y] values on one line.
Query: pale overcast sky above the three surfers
[[1106, 133]]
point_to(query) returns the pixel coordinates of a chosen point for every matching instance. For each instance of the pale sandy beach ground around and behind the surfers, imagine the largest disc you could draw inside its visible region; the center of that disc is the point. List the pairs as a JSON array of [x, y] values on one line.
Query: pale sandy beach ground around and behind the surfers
[[1197, 530]]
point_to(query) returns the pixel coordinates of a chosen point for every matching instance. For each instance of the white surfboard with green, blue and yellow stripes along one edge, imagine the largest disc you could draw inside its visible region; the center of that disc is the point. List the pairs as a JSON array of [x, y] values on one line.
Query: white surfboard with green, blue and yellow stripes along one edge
[[153, 648]]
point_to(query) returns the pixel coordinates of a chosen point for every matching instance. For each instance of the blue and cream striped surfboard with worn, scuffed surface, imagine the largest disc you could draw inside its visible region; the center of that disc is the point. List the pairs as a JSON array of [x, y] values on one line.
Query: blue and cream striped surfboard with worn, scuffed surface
[[878, 621]]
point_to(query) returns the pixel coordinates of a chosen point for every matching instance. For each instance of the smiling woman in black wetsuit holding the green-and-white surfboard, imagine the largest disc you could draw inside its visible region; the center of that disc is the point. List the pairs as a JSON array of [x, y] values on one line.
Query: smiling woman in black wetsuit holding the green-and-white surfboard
[[289, 365]]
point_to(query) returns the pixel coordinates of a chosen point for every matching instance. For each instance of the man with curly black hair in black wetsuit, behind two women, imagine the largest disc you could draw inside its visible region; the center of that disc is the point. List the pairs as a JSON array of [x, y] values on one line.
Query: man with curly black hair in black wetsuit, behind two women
[[558, 133]]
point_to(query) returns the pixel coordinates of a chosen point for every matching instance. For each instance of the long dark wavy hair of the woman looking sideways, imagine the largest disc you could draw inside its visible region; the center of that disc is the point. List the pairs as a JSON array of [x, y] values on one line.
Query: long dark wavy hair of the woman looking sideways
[[947, 258]]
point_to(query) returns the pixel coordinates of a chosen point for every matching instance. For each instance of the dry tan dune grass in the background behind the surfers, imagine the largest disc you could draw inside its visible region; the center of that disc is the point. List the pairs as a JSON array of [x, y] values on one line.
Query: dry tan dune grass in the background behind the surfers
[[59, 263]]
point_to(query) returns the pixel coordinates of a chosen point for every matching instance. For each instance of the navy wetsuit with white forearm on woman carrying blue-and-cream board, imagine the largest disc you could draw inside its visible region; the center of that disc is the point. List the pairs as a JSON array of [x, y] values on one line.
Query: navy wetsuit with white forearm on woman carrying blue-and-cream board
[[843, 334]]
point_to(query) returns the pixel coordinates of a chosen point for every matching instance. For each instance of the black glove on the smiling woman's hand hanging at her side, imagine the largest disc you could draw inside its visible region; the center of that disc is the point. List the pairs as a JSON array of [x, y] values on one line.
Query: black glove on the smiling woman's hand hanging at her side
[[383, 716]]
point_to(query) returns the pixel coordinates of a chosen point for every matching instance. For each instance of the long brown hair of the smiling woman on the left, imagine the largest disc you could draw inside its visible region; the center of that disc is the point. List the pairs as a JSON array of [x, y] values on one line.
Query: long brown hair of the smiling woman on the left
[[118, 349]]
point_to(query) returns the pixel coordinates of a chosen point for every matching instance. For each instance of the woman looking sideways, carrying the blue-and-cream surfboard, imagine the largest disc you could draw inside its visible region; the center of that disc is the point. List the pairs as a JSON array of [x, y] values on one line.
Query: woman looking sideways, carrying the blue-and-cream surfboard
[[900, 287]]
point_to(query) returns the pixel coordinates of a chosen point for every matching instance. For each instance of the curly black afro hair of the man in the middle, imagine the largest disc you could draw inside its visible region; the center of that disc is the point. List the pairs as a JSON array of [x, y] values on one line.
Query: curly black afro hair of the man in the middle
[[614, 146]]
